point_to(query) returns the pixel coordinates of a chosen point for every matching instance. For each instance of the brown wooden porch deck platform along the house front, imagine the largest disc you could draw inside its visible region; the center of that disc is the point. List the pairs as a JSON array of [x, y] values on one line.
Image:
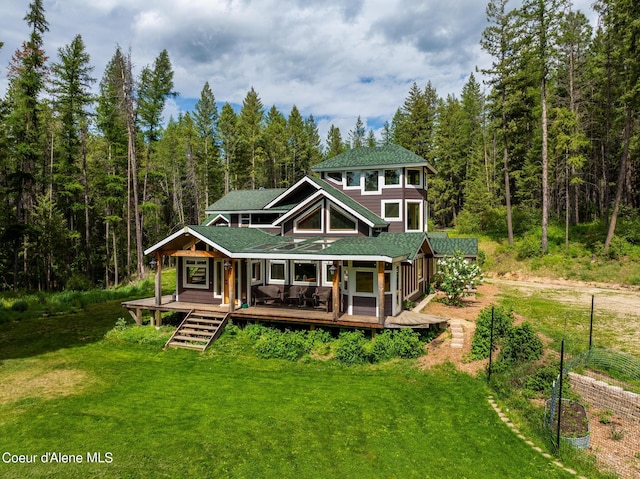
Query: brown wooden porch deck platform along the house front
[[279, 313]]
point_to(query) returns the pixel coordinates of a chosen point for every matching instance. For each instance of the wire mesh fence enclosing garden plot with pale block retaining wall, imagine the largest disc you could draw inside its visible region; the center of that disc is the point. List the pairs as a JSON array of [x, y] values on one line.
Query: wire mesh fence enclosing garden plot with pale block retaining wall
[[595, 405]]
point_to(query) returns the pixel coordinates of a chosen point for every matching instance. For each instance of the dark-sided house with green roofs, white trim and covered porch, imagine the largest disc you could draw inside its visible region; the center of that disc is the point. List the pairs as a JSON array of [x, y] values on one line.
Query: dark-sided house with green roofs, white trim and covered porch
[[347, 247]]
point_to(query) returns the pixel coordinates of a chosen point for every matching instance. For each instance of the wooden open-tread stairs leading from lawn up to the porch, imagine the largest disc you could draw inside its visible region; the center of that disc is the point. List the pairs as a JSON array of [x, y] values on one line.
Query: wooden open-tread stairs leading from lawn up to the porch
[[198, 330]]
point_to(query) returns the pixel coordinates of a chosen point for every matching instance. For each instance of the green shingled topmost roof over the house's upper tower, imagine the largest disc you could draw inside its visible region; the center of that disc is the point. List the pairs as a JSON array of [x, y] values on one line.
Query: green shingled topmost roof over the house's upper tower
[[379, 156]]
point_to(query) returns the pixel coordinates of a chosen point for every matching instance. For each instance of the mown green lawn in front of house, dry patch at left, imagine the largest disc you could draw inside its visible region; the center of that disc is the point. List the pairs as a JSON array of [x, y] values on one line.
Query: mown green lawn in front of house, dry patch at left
[[228, 414]]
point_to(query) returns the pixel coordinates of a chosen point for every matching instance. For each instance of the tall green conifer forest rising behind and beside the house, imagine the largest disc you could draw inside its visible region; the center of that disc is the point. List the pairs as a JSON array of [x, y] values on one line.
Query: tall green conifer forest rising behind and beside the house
[[88, 179]]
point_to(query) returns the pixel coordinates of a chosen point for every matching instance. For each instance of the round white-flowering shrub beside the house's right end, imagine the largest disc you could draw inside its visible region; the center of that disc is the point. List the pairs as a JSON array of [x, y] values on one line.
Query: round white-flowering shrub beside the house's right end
[[456, 276]]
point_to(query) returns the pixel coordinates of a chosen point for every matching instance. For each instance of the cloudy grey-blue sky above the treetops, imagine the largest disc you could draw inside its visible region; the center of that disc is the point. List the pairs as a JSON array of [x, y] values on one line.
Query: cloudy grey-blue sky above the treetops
[[335, 59]]
